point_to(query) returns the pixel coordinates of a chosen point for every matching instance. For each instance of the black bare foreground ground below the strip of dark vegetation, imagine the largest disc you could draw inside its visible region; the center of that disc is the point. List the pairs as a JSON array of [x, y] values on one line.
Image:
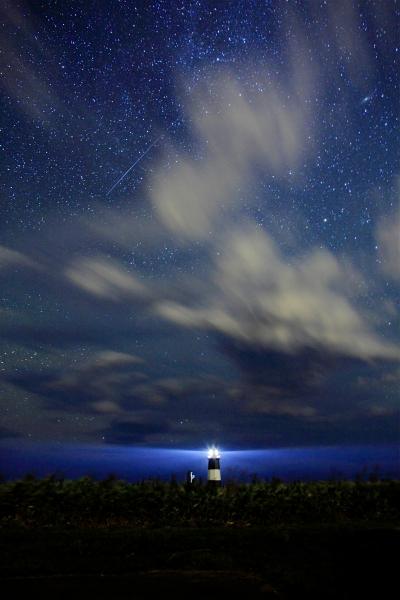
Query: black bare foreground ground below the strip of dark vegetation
[[313, 561]]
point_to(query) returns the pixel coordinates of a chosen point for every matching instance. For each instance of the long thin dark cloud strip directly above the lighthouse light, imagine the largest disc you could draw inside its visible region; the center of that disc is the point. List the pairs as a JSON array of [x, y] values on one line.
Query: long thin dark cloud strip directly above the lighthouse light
[[255, 430]]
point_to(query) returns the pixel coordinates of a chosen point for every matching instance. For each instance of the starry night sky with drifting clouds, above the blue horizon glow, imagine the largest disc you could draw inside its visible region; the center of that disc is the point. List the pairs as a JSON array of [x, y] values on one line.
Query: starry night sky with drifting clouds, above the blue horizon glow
[[199, 225]]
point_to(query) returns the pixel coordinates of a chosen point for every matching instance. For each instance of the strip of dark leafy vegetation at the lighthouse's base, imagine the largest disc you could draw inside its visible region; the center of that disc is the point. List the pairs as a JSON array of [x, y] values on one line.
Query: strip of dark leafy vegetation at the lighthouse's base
[[56, 502]]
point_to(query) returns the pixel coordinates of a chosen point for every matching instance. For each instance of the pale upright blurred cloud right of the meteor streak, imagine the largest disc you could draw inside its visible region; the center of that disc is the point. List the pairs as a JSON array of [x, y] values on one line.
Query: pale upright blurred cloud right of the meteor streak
[[240, 131]]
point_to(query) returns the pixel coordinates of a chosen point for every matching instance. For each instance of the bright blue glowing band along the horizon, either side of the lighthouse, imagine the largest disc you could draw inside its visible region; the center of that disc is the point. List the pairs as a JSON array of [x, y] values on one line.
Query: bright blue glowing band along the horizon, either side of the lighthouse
[[136, 463]]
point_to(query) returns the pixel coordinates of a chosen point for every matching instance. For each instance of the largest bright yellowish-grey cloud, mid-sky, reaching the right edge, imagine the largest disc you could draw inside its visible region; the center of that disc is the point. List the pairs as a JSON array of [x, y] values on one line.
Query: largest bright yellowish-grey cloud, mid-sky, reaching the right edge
[[285, 304]]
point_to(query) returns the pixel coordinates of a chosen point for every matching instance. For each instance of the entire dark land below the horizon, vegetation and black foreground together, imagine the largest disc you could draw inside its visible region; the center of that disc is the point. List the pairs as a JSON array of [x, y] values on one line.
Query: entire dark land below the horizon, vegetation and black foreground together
[[112, 539]]
